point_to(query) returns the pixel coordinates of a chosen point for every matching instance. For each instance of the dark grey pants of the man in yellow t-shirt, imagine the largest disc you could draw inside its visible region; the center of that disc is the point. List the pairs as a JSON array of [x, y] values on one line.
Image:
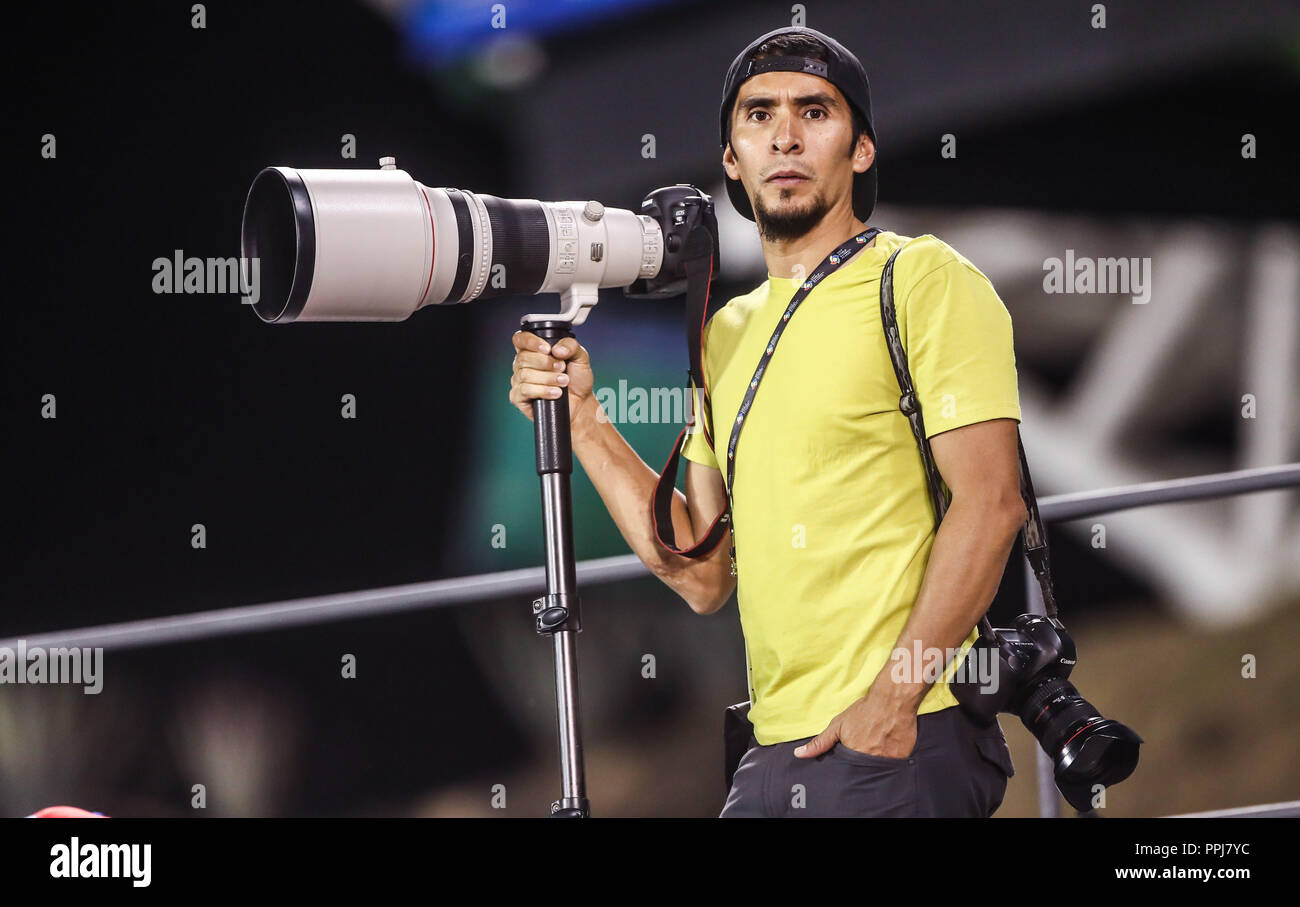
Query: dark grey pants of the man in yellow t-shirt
[[957, 770]]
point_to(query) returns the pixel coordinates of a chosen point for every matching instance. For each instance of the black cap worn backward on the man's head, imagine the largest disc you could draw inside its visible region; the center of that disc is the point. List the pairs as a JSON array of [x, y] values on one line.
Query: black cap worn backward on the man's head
[[842, 70]]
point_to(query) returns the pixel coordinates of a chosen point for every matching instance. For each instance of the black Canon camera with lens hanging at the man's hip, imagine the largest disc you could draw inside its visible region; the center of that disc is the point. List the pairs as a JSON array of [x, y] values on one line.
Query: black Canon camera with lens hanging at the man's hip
[[1033, 662]]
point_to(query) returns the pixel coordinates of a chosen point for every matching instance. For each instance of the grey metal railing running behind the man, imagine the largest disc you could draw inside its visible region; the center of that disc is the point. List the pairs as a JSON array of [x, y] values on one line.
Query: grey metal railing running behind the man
[[462, 591]]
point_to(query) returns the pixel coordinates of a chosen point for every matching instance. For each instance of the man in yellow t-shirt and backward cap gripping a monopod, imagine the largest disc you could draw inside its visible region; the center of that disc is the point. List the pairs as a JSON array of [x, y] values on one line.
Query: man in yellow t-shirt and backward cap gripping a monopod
[[842, 576]]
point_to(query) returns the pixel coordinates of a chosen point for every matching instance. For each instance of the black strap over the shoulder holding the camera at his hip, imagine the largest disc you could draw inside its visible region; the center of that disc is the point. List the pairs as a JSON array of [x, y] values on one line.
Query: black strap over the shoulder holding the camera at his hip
[[1034, 535]]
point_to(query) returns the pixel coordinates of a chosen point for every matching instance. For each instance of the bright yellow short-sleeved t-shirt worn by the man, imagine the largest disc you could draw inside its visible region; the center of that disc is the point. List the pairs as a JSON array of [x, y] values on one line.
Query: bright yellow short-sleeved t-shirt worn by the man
[[833, 522]]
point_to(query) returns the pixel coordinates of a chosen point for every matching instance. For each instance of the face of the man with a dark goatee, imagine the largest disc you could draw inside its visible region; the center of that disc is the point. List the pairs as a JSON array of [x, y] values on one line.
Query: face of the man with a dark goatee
[[792, 147]]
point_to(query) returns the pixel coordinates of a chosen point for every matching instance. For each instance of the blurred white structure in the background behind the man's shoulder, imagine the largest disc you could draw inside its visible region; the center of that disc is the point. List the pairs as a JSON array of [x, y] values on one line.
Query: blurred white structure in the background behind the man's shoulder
[[1219, 337]]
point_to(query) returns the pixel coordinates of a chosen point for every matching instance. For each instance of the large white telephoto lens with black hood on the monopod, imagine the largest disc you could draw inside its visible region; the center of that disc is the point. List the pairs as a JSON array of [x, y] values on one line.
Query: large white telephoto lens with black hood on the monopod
[[376, 245]]
